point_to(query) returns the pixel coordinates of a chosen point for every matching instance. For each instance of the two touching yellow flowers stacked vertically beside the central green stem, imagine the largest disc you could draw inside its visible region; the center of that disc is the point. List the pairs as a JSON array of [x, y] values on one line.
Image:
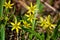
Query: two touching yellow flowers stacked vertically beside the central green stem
[[30, 14]]
